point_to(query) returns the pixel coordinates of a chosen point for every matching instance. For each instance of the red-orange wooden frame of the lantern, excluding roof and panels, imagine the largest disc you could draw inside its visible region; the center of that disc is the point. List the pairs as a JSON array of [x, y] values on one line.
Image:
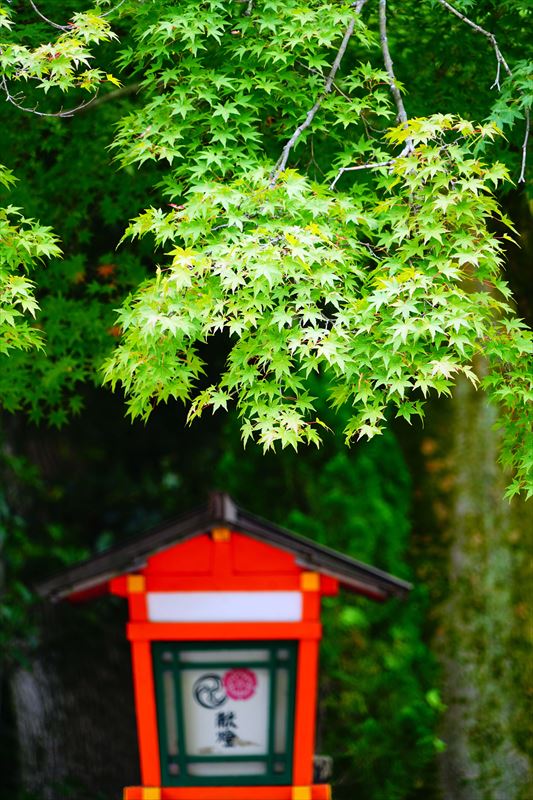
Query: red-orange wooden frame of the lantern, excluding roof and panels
[[278, 570]]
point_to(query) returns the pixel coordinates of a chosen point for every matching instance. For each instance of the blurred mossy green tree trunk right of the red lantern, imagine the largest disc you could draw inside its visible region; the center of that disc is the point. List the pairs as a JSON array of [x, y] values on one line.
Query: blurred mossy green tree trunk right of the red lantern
[[475, 552]]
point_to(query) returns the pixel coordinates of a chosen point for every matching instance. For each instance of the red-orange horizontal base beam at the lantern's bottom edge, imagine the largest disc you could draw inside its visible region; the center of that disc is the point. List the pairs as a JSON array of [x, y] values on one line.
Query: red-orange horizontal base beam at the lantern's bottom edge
[[320, 791]]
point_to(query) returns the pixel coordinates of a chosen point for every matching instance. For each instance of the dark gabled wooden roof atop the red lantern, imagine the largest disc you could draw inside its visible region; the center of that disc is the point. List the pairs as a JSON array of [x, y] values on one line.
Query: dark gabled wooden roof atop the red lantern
[[91, 576]]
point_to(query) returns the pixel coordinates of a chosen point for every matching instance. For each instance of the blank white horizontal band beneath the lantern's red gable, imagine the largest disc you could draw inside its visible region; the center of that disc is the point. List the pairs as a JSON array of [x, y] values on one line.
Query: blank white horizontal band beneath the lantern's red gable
[[224, 606]]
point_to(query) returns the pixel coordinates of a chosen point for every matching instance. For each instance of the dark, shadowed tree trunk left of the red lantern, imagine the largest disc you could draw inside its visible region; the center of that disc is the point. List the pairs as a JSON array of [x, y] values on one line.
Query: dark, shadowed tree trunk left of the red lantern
[[74, 708]]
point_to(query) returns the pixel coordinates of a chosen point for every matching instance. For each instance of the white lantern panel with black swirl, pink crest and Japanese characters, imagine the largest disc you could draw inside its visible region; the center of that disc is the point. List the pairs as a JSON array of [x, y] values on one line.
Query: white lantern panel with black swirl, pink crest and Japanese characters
[[226, 711]]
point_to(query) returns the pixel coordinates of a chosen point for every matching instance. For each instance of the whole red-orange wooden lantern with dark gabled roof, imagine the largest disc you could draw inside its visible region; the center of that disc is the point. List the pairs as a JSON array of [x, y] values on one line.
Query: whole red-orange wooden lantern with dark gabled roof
[[224, 625]]
